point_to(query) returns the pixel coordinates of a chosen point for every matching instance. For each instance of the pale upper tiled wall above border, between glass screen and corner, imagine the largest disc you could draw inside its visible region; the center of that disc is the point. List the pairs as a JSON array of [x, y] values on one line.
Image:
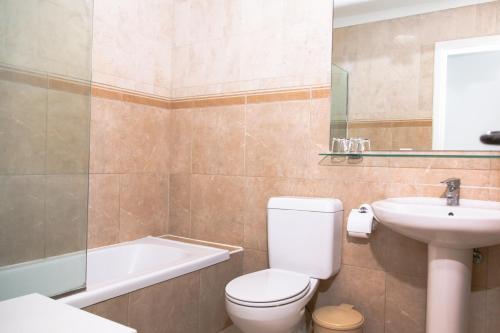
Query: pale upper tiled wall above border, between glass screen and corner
[[132, 45]]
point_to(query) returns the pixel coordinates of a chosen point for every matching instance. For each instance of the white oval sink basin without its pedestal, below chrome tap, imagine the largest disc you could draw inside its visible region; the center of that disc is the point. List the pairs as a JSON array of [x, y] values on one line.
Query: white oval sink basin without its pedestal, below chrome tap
[[473, 224]]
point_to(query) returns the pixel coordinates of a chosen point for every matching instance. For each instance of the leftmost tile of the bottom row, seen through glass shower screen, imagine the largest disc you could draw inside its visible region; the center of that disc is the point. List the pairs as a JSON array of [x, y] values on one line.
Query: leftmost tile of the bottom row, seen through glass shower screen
[[22, 218]]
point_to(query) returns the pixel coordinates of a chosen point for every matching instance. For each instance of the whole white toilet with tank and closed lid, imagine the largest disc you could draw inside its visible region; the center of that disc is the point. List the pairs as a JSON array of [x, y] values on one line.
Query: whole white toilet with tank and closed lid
[[304, 245]]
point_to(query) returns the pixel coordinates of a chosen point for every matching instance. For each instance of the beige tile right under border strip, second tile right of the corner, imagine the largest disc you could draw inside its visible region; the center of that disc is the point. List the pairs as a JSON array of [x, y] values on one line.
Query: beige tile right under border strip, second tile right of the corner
[[218, 140]]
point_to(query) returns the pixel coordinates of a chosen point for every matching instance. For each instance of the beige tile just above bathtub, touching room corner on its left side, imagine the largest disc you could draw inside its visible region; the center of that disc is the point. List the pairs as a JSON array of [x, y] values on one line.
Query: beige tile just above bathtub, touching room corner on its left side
[[143, 205]]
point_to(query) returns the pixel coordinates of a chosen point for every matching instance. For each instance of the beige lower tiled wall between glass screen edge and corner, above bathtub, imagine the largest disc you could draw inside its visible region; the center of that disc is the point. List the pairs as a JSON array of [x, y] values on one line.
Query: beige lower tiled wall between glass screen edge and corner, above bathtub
[[129, 169]]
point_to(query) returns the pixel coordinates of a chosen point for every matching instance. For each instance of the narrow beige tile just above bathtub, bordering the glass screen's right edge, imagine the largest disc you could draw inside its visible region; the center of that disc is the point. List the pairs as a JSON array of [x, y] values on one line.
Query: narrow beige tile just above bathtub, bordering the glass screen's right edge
[[104, 210]]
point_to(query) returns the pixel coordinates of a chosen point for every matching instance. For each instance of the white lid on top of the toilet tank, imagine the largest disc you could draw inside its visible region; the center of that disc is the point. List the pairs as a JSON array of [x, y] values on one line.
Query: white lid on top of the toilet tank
[[308, 204]]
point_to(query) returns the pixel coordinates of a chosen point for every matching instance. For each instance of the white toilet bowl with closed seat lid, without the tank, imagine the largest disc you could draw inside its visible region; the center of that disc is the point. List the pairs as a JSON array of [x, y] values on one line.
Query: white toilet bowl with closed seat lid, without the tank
[[270, 301]]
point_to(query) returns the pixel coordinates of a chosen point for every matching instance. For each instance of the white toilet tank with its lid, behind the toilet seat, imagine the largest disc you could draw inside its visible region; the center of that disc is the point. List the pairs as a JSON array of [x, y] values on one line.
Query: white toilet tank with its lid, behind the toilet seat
[[304, 235]]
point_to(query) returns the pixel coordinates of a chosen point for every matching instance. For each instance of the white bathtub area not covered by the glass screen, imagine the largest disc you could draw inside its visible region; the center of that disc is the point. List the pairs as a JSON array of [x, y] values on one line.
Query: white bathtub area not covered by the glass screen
[[122, 268]]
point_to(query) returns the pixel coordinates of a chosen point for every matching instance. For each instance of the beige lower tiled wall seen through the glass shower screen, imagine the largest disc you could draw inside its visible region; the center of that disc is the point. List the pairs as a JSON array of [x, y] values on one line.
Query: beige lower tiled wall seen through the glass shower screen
[[44, 130]]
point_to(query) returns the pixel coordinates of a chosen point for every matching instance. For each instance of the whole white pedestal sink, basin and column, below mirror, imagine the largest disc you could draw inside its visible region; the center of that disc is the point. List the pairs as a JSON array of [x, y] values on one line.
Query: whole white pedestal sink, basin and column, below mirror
[[451, 232]]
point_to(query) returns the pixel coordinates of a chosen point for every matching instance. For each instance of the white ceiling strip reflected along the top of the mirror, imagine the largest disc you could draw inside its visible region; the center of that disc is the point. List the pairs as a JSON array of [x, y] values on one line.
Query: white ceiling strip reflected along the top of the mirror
[[352, 12]]
